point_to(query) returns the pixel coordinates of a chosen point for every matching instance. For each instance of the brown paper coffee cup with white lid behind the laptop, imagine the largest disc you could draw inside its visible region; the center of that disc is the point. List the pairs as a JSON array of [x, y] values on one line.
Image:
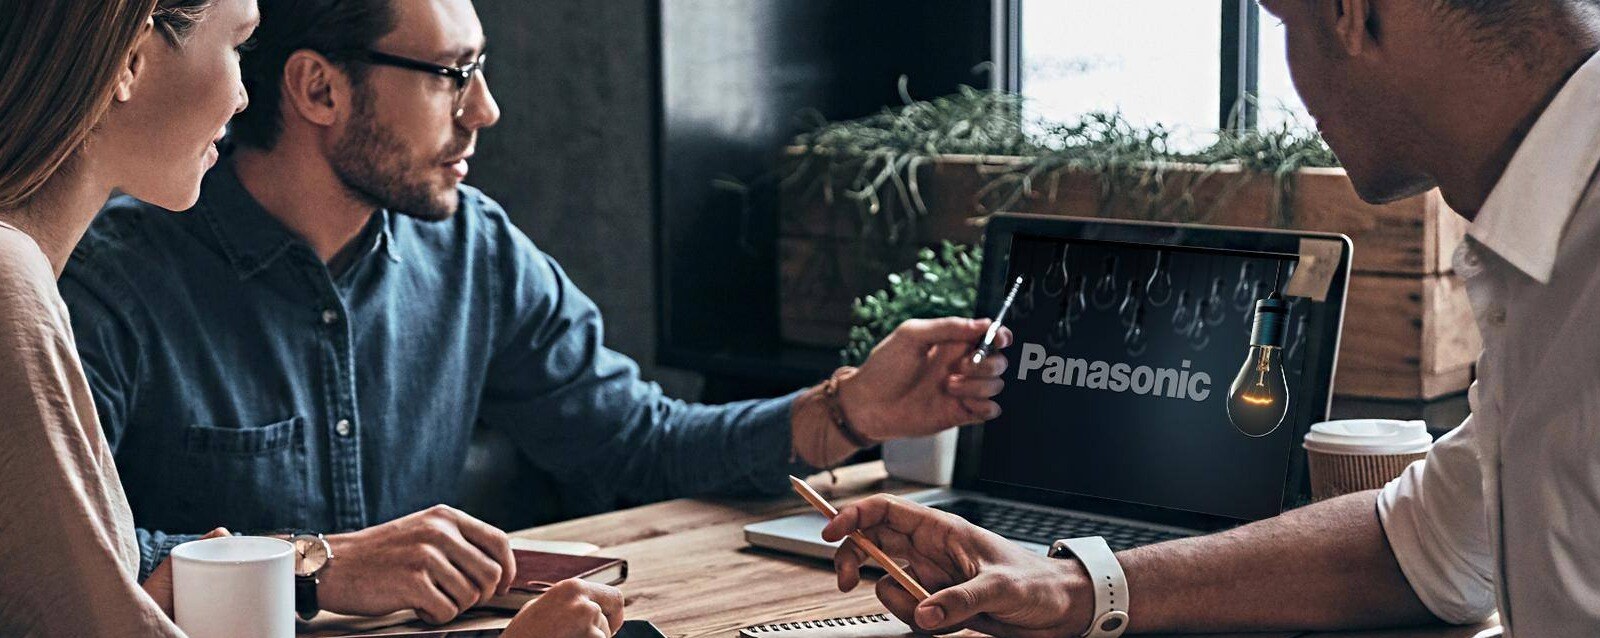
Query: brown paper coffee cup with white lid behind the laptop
[[1356, 455]]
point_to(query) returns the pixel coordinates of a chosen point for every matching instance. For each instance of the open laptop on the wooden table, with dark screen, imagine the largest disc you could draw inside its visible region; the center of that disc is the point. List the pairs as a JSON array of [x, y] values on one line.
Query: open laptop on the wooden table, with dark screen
[[1114, 417]]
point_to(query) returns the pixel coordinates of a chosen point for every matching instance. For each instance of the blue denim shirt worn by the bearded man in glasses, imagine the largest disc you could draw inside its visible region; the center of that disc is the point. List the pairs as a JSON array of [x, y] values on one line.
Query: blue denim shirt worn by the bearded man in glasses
[[241, 385]]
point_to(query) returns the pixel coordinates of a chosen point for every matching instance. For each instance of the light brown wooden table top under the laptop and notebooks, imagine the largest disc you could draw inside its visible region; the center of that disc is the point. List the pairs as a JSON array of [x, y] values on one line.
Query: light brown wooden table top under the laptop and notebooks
[[694, 576]]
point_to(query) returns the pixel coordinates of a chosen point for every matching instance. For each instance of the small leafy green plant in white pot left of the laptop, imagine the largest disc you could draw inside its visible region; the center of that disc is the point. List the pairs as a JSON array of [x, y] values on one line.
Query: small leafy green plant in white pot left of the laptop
[[943, 284]]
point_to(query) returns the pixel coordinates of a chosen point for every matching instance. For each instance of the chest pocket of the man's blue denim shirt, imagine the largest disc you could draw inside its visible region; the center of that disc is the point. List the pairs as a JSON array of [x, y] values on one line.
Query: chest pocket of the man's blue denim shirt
[[249, 479]]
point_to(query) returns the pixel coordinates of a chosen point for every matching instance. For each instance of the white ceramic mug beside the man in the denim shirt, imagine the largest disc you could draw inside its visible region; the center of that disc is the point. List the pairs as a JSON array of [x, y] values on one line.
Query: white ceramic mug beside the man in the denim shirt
[[234, 588]]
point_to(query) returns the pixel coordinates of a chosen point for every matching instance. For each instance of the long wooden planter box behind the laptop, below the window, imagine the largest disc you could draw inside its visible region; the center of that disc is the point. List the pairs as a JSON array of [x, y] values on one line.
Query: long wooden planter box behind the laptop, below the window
[[1409, 329]]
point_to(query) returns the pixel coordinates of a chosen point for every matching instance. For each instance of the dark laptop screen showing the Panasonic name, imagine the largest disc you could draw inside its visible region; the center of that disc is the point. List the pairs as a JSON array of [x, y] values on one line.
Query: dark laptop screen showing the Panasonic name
[[1121, 370]]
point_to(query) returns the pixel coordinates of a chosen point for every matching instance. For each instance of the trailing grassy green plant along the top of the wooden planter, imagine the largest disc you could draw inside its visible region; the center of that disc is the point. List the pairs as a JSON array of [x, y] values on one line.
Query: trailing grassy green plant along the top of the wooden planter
[[874, 162]]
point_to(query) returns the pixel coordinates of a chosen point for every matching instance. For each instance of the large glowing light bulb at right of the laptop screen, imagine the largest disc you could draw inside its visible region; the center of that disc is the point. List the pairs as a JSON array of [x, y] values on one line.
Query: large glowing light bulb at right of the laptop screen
[[1260, 396]]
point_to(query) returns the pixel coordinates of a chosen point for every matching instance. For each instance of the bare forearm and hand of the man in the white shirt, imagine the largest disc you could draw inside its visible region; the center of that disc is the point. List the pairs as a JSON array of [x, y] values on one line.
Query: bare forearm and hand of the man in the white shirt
[[1321, 567]]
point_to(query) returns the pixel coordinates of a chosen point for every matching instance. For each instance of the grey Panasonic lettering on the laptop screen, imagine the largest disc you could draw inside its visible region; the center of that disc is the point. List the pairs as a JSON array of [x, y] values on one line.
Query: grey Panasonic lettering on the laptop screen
[[1172, 383]]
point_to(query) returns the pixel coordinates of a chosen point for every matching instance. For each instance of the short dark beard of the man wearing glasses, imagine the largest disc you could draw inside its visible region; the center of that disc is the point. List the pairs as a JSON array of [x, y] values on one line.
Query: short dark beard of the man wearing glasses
[[375, 165]]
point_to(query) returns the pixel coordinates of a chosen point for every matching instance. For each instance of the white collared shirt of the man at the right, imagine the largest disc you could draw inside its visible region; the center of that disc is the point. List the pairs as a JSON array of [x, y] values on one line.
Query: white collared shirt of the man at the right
[[1505, 512]]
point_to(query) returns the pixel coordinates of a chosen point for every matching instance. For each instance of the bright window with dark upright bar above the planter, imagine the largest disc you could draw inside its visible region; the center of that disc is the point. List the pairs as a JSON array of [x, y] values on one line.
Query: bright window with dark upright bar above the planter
[[1156, 62]]
